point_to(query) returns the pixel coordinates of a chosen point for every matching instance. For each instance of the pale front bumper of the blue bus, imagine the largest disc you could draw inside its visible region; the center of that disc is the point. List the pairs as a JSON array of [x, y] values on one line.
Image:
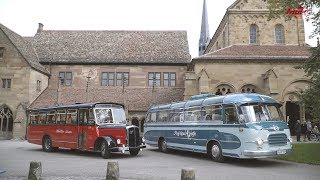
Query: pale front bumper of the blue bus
[[262, 154]]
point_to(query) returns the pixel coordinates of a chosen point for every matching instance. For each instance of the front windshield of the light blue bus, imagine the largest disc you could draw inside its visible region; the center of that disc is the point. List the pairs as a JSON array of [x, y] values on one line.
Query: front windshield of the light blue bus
[[259, 112]]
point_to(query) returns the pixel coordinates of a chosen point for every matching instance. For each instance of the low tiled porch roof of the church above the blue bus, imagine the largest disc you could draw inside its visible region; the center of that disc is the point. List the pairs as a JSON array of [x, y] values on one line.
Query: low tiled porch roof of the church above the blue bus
[[259, 52]]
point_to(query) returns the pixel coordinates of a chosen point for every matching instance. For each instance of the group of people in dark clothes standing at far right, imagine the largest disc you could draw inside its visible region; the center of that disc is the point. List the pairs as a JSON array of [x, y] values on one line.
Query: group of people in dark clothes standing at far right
[[305, 129]]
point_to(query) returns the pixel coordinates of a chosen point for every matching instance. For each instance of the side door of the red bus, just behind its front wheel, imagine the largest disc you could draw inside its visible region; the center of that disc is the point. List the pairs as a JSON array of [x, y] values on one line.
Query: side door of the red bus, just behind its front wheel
[[87, 129]]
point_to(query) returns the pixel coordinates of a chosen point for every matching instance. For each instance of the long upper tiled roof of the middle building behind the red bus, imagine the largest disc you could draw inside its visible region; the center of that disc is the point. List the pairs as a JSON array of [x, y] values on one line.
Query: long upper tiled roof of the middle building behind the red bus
[[87, 47]]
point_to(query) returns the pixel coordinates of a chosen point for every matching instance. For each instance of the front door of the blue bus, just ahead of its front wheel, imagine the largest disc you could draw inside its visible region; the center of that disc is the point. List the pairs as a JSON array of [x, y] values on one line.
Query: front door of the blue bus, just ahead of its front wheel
[[230, 134]]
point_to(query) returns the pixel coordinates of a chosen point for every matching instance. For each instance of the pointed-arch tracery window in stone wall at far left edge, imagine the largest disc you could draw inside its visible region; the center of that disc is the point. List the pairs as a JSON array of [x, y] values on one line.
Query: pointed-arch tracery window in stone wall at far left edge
[[6, 122]]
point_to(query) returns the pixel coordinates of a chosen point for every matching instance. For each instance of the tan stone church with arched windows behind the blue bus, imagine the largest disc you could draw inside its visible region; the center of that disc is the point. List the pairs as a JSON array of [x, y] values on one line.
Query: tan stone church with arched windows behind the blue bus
[[248, 53]]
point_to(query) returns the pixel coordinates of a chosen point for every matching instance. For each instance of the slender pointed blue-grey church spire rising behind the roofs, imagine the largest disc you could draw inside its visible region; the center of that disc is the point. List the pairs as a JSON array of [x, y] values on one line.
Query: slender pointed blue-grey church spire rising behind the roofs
[[204, 34]]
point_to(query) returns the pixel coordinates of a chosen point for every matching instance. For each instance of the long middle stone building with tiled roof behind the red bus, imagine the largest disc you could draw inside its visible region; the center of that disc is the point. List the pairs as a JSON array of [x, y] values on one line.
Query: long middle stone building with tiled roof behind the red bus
[[134, 68]]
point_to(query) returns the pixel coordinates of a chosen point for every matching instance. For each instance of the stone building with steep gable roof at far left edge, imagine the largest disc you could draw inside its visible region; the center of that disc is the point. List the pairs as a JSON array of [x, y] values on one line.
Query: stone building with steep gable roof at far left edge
[[23, 79]]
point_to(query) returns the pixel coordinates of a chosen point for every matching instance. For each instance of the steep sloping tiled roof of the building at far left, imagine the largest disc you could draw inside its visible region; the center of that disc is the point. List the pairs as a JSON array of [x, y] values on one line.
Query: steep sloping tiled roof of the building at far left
[[25, 48]]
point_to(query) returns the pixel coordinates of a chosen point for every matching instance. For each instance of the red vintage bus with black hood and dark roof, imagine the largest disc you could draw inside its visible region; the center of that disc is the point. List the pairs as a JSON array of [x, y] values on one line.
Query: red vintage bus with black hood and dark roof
[[97, 127]]
